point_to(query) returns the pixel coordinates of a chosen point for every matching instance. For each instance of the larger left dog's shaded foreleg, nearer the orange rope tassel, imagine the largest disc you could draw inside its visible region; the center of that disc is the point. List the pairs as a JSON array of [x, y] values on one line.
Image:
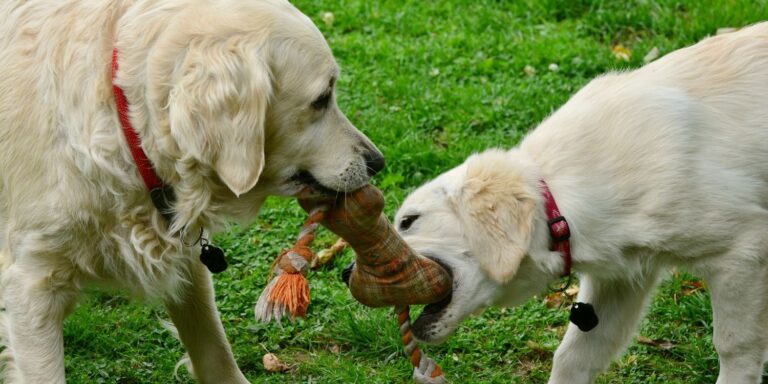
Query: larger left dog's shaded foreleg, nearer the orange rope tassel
[[195, 316]]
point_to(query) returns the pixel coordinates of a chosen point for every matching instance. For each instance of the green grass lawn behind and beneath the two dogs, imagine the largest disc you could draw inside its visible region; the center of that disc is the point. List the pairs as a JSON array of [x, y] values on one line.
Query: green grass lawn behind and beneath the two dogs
[[430, 82]]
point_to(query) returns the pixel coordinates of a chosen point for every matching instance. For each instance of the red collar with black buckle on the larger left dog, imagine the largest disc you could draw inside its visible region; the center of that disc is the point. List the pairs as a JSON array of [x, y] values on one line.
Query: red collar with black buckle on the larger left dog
[[161, 194]]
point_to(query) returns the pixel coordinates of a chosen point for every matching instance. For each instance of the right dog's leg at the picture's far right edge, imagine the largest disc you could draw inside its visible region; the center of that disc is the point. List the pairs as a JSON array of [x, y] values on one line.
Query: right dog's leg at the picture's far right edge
[[739, 292]]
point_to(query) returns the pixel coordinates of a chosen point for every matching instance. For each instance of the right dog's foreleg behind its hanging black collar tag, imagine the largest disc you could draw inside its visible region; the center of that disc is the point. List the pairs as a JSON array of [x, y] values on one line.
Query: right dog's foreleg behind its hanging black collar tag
[[619, 305]]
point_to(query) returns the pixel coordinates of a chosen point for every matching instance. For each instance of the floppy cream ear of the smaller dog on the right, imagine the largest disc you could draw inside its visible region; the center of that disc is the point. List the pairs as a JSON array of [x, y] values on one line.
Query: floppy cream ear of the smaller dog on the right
[[496, 208]]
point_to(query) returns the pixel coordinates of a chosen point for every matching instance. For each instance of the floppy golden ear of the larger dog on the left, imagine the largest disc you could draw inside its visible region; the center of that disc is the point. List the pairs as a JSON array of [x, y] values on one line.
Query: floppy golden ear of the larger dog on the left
[[218, 107]]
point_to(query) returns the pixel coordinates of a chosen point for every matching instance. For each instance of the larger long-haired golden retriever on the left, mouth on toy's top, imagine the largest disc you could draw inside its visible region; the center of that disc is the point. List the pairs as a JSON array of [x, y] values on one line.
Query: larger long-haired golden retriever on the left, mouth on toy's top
[[233, 100]]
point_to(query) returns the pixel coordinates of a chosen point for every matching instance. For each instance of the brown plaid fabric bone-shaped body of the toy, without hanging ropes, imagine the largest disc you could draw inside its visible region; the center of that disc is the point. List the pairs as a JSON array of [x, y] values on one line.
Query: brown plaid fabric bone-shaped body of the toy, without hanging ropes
[[387, 271]]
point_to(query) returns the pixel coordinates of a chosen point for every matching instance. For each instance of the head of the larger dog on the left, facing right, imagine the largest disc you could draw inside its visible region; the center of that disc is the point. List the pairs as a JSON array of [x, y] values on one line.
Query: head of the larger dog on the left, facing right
[[242, 94]]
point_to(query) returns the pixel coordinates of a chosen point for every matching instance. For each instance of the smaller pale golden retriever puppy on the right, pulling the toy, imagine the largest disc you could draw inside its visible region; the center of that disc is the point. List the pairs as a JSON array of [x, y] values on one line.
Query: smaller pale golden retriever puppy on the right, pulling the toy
[[663, 166]]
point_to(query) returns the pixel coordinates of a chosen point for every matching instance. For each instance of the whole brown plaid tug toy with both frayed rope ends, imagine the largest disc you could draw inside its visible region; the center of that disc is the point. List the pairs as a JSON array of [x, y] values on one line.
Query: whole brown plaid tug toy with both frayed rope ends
[[387, 272]]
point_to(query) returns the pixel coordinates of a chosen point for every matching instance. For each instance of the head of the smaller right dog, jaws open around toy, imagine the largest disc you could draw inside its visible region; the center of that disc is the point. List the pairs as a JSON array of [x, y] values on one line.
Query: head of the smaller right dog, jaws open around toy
[[480, 220]]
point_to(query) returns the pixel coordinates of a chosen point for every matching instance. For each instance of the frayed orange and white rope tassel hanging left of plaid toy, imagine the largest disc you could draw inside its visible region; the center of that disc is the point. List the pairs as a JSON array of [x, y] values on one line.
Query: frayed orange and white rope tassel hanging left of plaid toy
[[287, 293]]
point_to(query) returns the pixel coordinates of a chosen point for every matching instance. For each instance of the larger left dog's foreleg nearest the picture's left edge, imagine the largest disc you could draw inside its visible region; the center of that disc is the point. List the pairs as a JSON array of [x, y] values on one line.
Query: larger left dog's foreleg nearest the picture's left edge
[[36, 305]]
